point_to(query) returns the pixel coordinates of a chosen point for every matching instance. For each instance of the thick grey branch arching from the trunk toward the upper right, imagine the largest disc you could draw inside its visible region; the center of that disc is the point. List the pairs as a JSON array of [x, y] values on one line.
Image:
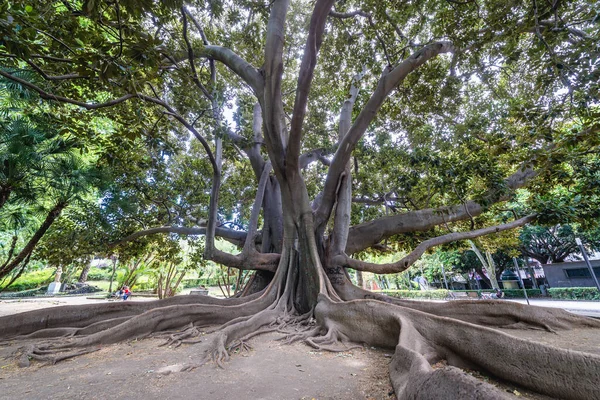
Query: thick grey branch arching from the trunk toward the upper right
[[389, 80]]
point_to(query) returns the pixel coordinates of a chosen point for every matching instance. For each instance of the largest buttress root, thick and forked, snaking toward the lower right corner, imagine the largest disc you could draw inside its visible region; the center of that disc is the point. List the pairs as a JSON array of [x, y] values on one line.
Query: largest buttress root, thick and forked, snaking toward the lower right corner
[[421, 339]]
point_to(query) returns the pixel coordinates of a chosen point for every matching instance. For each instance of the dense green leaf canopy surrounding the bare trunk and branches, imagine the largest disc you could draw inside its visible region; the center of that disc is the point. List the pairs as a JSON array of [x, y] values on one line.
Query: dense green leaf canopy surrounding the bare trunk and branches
[[453, 132]]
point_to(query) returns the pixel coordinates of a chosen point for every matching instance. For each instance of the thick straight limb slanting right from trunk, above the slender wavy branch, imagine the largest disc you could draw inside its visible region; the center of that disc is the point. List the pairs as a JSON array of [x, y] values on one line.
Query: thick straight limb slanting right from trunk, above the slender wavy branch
[[366, 235]]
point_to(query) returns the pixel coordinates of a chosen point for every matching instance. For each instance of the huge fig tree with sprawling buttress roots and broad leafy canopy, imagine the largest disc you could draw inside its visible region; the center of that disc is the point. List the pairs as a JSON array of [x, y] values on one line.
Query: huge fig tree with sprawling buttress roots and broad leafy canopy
[[357, 126]]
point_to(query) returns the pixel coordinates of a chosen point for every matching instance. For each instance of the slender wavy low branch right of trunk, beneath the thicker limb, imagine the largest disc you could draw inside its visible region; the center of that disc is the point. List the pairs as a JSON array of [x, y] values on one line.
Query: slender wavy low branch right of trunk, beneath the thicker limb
[[414, 255]]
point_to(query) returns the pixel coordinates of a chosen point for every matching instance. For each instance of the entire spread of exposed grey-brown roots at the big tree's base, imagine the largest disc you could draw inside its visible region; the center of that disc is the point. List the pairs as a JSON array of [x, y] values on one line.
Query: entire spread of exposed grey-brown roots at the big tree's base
[[420, 332]]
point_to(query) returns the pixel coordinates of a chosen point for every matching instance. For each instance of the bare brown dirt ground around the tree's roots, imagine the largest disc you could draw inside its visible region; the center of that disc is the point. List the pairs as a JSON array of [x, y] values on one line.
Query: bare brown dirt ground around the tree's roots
[[271, 370]]
